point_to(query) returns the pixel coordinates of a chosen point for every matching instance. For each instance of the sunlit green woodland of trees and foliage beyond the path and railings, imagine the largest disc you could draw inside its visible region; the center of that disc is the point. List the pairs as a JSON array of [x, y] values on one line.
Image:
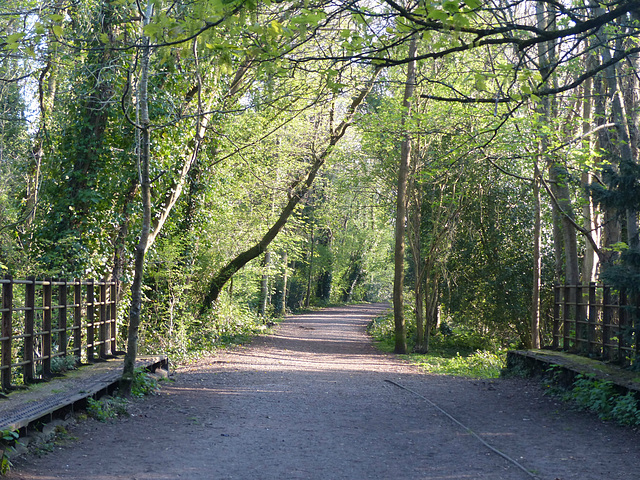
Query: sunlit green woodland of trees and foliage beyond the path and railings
[[228, 161]]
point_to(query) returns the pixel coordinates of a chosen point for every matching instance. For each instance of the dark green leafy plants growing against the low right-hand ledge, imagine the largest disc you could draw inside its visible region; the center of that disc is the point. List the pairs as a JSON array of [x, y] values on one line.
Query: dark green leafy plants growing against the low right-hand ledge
[[602, 398]]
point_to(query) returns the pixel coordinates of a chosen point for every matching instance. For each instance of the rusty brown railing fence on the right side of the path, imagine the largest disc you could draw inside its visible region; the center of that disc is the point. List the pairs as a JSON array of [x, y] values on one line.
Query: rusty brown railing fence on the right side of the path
[[597, 321]]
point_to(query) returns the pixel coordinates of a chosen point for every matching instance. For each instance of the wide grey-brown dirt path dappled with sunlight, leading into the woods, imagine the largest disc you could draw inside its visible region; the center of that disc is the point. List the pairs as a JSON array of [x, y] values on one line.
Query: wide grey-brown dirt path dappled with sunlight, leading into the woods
[[314, 401]]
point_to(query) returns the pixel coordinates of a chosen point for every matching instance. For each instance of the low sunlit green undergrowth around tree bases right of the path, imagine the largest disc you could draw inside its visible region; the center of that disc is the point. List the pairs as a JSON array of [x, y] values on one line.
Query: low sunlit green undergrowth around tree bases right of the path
[[452, 350]]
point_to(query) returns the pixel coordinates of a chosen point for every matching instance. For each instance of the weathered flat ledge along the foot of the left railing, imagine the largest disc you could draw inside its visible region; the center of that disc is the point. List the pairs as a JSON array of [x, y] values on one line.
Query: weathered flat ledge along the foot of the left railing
[[43, 401]]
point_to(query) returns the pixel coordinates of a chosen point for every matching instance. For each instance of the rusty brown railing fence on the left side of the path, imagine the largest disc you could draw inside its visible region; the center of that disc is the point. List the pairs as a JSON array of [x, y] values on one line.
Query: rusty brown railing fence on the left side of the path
[[46, 323]]
